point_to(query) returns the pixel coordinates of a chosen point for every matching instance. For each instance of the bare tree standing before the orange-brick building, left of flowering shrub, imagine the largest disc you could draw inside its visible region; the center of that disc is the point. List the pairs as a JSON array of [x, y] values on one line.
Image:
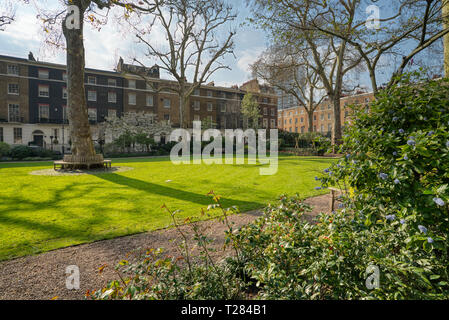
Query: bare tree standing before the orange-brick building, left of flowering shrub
[[290, 22]]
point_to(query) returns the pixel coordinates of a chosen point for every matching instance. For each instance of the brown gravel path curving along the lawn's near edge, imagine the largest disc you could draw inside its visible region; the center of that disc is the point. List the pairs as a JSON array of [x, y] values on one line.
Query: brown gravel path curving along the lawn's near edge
[[43, 276]]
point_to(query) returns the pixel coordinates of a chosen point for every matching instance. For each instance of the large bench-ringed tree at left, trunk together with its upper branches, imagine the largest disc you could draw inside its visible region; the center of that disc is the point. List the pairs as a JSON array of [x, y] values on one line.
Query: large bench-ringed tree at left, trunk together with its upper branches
[[72, 16]]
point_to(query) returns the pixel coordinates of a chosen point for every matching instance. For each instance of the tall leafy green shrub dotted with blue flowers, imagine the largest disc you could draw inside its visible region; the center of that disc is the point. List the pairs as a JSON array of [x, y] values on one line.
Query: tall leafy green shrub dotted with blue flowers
[[397, 162]]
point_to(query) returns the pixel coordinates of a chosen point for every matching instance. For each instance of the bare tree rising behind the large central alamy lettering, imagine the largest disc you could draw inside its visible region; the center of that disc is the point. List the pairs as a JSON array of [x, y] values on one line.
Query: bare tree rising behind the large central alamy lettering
[[192, 47]]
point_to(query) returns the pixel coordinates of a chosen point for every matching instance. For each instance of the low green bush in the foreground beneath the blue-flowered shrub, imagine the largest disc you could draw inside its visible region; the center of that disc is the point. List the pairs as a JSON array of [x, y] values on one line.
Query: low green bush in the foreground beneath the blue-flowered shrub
[[289, 258]]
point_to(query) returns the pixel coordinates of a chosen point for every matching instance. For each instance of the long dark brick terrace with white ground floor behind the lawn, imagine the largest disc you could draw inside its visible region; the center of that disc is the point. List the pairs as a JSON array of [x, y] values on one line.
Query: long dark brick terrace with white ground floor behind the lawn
[[33, 101]]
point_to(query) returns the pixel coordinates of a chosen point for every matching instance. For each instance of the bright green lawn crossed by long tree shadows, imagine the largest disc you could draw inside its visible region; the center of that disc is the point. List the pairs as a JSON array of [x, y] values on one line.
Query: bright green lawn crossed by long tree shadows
[[41, 213]]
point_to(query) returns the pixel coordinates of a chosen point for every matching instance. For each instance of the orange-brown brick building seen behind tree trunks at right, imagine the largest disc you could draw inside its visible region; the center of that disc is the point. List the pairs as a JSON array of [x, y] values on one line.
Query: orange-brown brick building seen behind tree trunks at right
[[295, 119]]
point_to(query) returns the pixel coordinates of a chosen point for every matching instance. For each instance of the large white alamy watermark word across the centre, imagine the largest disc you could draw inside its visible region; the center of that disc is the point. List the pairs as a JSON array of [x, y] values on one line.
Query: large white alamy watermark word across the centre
[[213, 152]]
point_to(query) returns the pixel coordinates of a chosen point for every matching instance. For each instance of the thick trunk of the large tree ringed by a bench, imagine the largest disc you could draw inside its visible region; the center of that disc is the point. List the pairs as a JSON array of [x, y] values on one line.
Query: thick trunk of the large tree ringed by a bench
[[80, 133]]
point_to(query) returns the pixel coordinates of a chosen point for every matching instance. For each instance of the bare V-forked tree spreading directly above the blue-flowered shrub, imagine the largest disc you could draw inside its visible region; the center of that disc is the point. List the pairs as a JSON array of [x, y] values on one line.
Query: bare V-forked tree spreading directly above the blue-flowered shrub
[[411, 27]]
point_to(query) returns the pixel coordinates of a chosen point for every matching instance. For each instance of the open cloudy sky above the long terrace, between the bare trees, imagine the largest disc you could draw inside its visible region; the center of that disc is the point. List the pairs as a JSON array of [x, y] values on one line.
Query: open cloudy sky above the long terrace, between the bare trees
[[104, 47]]
